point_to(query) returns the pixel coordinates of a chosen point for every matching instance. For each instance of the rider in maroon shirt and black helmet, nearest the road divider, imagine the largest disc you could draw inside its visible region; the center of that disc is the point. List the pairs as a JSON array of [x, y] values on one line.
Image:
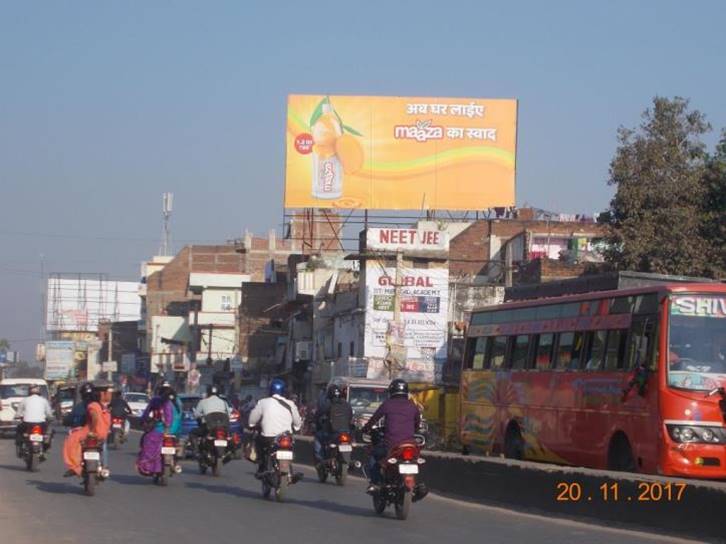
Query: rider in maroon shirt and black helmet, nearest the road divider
[[402, 421]]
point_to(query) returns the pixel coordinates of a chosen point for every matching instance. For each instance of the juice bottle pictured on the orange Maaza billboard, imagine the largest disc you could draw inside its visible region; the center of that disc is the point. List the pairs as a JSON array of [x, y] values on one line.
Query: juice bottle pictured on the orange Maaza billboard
[[327, 169]]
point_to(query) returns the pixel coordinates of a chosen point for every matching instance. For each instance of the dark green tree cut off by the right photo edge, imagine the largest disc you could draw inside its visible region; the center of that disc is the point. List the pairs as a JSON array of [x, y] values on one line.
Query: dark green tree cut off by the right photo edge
[[714, 209]]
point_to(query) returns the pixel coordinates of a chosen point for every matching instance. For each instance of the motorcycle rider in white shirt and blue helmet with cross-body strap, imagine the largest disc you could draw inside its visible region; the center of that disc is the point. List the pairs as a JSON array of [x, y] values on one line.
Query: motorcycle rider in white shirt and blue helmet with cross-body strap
[[274, 415]]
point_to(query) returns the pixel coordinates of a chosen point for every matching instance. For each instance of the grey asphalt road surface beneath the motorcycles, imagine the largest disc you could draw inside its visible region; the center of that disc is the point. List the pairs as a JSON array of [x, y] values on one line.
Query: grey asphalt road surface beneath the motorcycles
[[45, 507]]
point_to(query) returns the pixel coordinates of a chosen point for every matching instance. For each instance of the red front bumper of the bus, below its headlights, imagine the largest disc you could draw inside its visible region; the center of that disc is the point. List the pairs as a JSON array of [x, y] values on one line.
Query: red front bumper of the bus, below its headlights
[[694, 460]]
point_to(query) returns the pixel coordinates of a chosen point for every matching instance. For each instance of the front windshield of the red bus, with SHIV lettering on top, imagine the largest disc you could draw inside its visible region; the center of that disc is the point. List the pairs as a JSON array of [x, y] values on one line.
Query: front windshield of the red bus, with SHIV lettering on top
[[697, 342]]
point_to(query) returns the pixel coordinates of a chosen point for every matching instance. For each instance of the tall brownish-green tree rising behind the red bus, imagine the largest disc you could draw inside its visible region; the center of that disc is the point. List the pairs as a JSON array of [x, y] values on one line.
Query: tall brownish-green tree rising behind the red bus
[[655, 218]]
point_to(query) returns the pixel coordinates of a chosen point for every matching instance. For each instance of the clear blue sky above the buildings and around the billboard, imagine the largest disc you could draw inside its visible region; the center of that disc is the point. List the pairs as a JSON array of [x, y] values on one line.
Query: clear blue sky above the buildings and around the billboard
[[105, 105]]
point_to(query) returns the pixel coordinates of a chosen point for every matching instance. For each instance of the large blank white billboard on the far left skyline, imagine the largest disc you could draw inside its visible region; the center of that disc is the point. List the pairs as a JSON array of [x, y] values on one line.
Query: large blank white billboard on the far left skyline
[[78, 304]]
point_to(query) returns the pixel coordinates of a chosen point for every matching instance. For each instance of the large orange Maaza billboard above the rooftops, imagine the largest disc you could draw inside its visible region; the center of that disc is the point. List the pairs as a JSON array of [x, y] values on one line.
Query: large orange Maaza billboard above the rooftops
[[400, 153]]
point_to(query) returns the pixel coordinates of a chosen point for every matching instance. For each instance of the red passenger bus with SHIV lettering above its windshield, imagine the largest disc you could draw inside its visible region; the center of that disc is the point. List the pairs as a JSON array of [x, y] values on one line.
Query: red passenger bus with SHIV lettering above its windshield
[[626, 380]]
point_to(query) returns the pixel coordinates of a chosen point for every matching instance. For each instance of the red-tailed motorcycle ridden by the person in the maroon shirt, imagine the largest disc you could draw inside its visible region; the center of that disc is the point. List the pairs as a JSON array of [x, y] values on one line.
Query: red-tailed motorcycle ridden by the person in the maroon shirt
[[399, 470]]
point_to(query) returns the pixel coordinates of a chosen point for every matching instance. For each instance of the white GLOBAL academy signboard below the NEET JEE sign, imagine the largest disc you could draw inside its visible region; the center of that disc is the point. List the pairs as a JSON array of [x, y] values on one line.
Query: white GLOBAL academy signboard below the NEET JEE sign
[[424, 316]]
